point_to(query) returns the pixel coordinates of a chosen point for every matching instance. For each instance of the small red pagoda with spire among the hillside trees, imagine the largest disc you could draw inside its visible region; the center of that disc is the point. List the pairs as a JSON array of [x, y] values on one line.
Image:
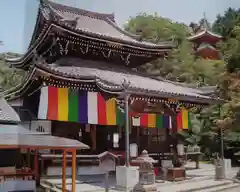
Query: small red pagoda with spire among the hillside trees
[[205, 41]]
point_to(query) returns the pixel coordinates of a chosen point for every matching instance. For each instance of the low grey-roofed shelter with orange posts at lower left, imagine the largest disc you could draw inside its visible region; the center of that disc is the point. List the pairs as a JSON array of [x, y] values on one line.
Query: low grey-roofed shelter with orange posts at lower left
[[36, 142]]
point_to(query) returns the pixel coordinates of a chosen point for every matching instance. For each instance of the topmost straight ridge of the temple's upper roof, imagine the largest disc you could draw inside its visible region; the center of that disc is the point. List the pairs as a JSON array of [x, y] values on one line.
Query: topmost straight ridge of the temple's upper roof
[[79, 11]]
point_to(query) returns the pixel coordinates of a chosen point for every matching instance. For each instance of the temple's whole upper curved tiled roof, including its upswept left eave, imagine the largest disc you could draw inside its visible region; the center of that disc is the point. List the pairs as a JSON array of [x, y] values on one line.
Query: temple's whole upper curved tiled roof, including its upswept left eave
[[95, 26]]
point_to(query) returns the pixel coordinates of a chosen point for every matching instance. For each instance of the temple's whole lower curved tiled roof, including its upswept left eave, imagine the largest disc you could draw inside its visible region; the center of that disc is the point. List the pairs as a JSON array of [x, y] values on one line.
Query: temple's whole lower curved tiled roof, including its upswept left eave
[[110, 77]]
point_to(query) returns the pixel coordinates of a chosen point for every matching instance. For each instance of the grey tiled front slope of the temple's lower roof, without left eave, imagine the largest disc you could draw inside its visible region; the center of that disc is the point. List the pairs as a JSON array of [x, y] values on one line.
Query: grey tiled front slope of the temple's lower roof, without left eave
[[112, 78]]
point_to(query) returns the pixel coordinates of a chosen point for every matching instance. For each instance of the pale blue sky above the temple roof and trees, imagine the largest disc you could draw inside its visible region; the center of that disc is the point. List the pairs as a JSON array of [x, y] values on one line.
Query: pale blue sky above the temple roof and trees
[[17, 17]]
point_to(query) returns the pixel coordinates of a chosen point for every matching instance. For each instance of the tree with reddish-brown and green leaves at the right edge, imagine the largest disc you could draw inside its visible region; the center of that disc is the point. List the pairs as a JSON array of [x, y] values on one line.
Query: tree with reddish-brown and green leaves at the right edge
[[230, 84]]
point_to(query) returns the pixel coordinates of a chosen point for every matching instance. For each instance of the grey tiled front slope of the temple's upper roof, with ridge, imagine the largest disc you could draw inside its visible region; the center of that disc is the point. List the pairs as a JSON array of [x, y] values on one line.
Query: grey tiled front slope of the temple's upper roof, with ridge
[[97, 24]]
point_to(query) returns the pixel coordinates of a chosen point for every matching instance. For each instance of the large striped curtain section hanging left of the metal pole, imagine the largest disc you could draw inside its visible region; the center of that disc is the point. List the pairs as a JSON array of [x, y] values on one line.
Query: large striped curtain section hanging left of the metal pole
[[63, 104]]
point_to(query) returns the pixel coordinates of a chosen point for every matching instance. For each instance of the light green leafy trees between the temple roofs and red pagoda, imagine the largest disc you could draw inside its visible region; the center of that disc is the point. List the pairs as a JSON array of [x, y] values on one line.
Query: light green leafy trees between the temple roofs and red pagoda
[[181, 64]]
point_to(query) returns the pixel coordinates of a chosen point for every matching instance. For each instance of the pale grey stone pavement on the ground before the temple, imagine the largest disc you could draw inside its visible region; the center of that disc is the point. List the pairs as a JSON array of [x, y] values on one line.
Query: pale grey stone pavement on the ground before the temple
[[201, 180]]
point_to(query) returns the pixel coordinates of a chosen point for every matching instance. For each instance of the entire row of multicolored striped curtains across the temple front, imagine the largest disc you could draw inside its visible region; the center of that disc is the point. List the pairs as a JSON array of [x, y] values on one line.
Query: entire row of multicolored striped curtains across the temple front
[[63, 104]]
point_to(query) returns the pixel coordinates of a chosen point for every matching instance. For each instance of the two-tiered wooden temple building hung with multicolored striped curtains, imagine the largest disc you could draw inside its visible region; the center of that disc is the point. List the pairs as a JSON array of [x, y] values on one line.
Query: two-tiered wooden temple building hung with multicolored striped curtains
[[77, 63]]
